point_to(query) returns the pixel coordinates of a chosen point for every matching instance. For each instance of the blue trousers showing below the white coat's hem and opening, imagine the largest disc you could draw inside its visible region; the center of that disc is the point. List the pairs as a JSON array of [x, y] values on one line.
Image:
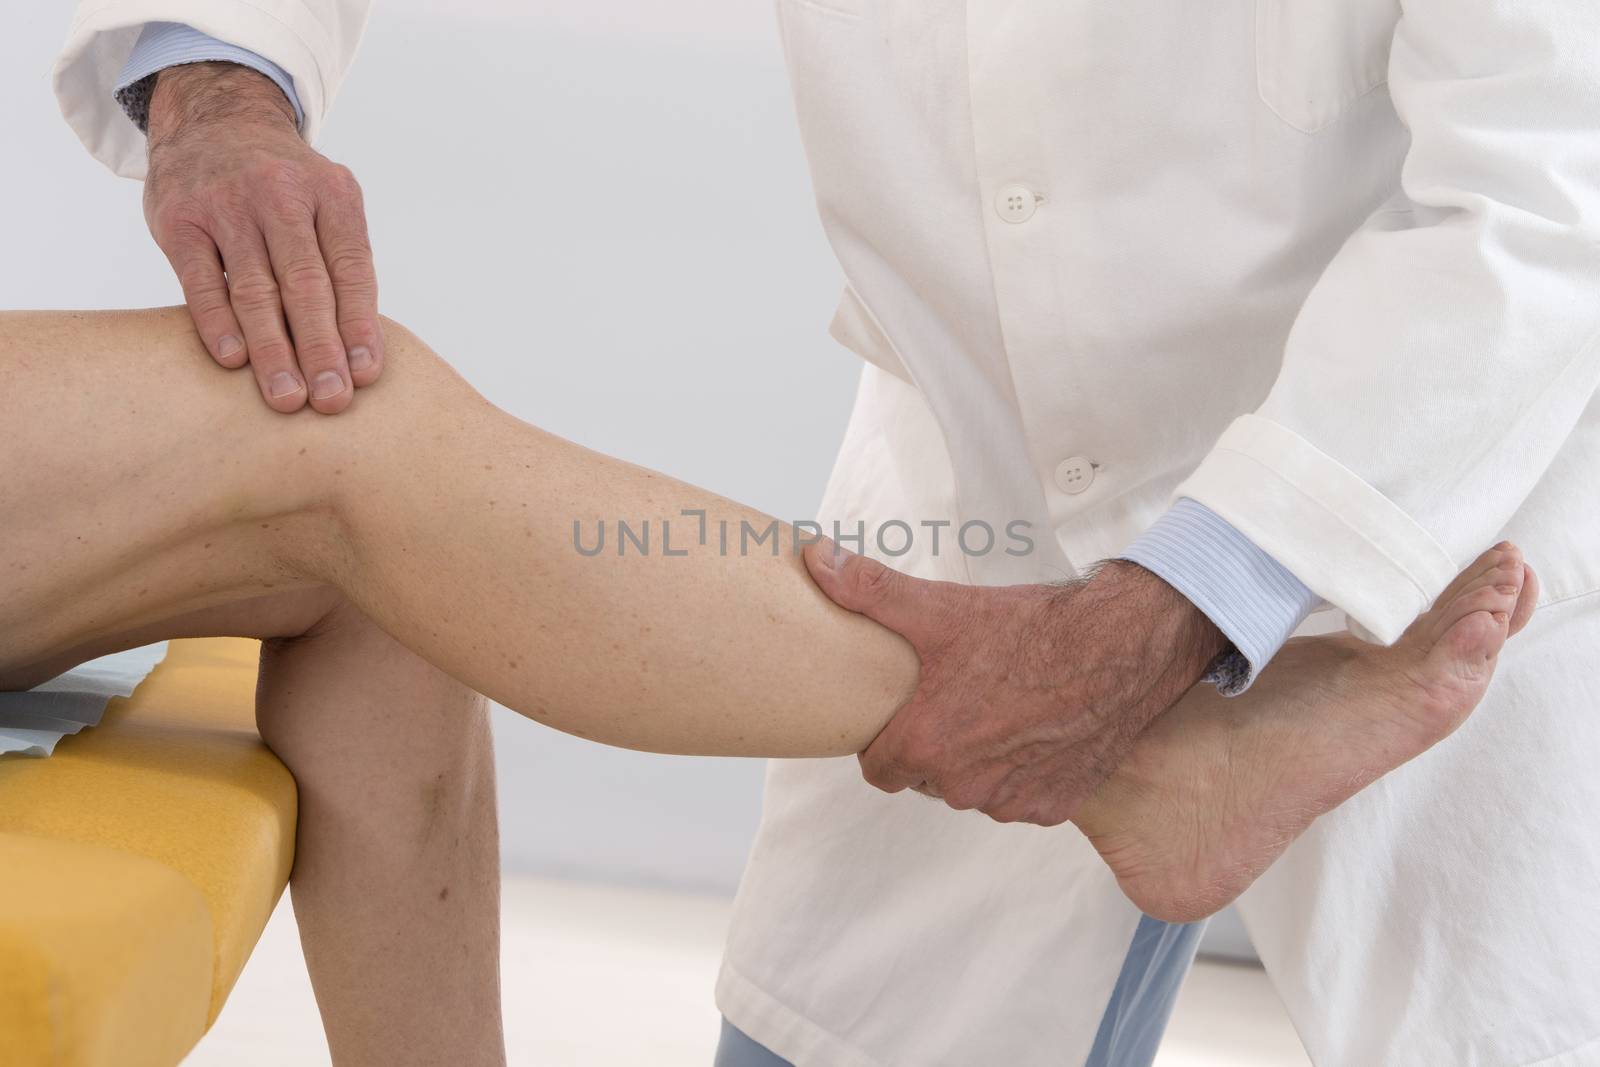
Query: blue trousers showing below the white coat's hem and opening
[[1135, 1018]]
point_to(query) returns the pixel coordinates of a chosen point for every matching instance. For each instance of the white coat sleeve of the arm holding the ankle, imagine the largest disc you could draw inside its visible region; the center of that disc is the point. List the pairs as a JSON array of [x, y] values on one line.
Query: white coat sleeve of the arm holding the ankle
[[1450, 348]]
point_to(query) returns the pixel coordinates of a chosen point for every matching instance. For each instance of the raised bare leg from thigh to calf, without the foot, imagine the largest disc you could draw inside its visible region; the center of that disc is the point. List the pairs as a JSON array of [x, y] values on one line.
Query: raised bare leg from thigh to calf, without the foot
[[142, 481]]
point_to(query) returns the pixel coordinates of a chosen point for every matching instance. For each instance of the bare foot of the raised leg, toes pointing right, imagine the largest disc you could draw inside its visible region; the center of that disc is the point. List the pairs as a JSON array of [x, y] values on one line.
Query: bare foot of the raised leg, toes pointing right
[[1218, 788]]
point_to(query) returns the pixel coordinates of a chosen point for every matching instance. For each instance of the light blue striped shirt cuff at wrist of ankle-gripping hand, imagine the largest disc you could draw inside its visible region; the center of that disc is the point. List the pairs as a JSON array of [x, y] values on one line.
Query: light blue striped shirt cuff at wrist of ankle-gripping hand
[[1244, 591]]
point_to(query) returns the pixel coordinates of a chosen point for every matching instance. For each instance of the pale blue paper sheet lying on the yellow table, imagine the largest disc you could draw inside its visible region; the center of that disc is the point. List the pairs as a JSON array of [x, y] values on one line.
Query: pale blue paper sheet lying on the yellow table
[[33, 722]]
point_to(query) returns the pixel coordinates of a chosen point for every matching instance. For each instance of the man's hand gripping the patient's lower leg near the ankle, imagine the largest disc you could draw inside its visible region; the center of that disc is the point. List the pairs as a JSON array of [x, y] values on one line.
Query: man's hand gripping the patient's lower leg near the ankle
[[1030, 695]]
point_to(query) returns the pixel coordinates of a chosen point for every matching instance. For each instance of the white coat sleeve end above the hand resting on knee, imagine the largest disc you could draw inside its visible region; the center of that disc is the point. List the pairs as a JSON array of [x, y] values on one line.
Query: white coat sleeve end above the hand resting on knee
[[314, 41]]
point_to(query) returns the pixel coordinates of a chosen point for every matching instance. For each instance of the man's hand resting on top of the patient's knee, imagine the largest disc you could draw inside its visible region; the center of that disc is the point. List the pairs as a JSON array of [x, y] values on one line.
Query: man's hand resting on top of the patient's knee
[[268, 238]]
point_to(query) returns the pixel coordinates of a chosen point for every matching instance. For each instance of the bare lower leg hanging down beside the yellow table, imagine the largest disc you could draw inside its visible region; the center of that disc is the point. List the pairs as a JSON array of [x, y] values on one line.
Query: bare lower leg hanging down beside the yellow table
[[398, 861]]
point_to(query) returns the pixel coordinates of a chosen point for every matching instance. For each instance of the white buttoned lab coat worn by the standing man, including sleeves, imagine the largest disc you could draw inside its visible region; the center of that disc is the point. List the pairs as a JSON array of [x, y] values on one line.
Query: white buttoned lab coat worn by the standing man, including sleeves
[[1332, 270]]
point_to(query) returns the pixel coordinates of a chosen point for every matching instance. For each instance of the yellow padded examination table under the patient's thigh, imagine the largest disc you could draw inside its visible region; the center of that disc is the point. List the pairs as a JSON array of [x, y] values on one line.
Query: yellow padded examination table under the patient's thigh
[[138, 866]]
